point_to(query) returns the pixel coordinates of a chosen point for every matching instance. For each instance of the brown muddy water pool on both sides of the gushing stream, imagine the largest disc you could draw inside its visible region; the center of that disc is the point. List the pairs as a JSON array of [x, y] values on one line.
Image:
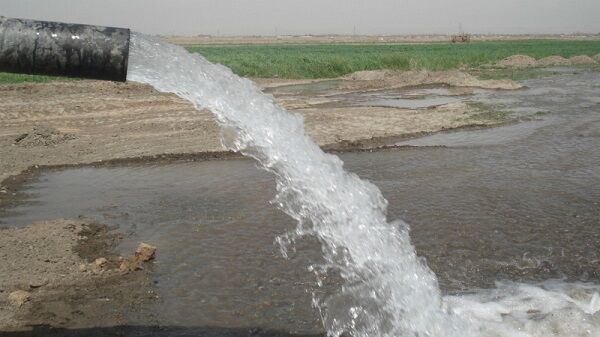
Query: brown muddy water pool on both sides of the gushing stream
[[520, 203]]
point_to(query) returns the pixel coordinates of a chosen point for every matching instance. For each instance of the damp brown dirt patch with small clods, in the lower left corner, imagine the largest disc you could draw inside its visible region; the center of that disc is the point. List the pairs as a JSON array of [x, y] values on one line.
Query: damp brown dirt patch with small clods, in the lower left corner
[[63, 273]]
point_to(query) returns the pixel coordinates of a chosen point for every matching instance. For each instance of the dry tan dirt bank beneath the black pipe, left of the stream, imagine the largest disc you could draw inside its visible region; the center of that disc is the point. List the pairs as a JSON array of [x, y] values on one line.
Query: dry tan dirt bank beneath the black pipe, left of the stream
[[97, 121]]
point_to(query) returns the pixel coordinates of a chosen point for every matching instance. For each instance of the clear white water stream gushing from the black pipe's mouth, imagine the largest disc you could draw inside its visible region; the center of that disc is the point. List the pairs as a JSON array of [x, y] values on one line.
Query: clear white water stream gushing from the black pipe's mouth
[[388, 290]]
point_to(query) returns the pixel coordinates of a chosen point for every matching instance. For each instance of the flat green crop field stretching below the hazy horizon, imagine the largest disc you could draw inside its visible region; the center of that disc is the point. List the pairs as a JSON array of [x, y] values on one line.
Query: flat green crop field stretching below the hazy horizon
[[333, 60]]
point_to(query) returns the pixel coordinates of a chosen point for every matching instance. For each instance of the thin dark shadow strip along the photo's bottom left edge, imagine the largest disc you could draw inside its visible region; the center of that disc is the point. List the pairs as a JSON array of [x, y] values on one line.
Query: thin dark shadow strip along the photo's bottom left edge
[[151, 331]]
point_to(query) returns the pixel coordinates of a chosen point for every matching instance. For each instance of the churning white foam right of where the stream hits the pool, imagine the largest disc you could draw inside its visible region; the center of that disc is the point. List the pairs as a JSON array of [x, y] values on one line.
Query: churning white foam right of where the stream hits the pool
[[552, 308]]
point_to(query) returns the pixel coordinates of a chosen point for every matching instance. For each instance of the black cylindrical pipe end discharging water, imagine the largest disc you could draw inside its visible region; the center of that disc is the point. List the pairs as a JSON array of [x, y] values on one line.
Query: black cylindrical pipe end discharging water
[[62, 49]]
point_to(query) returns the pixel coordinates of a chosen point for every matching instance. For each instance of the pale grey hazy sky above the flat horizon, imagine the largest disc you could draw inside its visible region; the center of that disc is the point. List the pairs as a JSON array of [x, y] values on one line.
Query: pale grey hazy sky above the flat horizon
[[272, 17]]
